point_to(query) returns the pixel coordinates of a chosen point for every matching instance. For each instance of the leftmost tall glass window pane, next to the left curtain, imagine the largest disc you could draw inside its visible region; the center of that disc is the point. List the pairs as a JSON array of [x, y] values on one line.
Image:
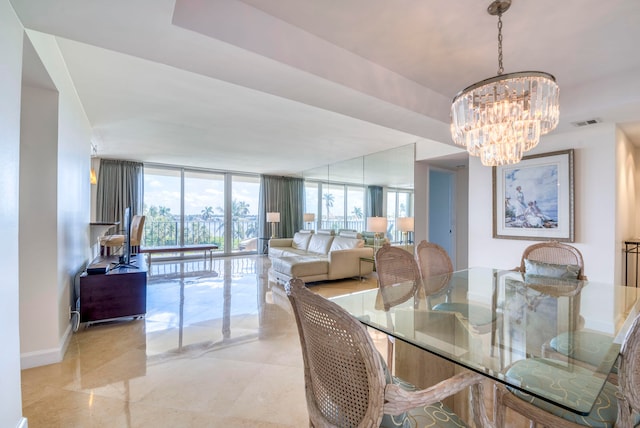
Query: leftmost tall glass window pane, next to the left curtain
[[161, 207]]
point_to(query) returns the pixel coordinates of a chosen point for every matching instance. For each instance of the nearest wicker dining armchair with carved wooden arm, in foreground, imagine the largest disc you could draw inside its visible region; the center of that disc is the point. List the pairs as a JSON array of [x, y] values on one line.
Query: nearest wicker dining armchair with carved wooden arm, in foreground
[[347, 384]]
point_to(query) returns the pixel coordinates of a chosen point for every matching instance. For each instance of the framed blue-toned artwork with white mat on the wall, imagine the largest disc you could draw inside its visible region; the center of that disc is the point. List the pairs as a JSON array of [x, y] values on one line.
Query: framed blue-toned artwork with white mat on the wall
[[534, 198]]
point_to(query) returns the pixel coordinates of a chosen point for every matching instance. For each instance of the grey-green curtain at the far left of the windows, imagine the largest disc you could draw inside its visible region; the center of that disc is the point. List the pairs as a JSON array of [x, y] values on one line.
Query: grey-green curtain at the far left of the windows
[[120, 185]]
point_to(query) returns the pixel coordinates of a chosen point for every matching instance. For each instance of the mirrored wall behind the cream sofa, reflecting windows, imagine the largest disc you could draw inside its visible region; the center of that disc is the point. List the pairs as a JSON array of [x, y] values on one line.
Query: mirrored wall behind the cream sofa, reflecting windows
[[343, 195]]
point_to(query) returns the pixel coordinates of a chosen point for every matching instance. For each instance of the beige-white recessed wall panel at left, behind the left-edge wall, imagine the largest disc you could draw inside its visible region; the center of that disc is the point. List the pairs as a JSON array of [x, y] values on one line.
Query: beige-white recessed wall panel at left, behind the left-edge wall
[[38, 219]]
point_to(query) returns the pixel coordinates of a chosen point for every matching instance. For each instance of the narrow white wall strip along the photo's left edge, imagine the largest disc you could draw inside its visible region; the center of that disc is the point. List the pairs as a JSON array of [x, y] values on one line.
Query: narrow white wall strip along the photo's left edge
[[11, 33]]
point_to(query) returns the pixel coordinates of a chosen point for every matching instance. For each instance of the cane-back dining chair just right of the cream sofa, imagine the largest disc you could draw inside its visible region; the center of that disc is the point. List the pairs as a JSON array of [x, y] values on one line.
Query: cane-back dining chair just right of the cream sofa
[[398, 281]]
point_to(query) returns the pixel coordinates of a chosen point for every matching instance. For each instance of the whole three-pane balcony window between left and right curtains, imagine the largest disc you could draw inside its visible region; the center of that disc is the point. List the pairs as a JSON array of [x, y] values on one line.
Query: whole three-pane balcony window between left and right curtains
[[186, 207]]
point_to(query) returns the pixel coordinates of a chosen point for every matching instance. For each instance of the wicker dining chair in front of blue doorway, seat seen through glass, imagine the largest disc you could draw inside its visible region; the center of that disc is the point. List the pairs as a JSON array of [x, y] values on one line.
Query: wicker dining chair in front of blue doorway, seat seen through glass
[[434, 265]]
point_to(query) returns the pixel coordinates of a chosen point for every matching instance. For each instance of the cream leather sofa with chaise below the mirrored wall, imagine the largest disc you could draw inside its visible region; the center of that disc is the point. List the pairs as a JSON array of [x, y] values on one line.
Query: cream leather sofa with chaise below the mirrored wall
[[318, 257]]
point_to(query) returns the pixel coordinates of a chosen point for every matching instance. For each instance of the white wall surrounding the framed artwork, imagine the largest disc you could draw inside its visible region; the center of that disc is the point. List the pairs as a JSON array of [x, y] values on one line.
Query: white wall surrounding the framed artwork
[[595, 205]]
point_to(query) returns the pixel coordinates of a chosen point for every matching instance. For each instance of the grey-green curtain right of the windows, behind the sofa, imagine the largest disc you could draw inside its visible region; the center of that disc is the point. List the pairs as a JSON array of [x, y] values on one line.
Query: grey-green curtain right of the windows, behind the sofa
[[284, 195]]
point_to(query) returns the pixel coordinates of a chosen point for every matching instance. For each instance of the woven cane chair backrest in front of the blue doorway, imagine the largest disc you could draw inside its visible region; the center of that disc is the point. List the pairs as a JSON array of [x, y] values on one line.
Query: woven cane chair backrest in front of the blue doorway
[[434, 263]]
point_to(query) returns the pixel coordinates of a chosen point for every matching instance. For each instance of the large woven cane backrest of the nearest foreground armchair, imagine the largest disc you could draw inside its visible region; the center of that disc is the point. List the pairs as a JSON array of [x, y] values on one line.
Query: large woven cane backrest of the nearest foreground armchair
[[344, 377]]
